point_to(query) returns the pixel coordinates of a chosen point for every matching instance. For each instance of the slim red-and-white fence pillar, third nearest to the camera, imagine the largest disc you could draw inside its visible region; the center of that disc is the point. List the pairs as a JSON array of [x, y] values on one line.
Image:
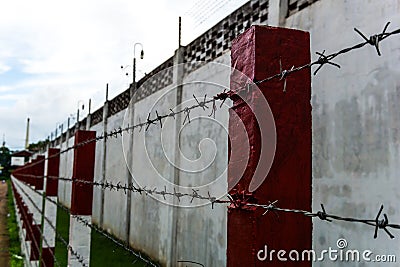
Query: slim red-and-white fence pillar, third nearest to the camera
[[50, 209]]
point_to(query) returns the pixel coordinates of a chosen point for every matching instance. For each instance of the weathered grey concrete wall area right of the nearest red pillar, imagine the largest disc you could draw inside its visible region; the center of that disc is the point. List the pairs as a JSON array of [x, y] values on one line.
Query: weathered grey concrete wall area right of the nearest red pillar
[[356, 119]]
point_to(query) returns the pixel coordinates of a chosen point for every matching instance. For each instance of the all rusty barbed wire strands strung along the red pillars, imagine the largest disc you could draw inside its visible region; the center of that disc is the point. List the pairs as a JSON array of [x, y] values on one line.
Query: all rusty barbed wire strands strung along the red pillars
[[210, 103]]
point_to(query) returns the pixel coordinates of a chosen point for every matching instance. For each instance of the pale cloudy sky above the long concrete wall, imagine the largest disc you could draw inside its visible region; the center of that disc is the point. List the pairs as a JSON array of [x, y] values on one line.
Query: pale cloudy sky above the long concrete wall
[[55, 55]]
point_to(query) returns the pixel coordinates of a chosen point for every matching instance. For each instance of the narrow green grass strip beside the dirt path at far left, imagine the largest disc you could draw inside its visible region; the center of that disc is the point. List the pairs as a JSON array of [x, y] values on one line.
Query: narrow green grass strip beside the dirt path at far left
[[14, 242]]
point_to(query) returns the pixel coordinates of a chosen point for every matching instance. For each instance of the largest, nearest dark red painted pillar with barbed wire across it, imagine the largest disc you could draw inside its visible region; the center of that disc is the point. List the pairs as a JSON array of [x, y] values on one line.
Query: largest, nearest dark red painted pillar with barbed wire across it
[[258, 53]]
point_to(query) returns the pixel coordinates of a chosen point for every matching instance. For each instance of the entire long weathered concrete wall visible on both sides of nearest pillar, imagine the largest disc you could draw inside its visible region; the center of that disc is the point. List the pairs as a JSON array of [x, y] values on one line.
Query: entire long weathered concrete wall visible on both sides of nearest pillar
[[355, 145]]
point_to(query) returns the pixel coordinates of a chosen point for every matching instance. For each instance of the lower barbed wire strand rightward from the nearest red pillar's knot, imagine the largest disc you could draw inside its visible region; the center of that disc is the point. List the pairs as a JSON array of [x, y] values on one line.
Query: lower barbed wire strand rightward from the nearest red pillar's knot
[[377, 223]]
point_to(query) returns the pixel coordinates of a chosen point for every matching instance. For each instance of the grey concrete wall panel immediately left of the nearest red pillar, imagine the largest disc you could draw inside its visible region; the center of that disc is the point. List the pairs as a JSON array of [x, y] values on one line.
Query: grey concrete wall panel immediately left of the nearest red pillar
[[201, 231]]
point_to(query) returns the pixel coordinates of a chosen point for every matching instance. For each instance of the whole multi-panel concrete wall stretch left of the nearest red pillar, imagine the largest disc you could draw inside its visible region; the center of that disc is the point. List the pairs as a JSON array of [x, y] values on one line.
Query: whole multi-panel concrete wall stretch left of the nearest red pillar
[[157, 228]]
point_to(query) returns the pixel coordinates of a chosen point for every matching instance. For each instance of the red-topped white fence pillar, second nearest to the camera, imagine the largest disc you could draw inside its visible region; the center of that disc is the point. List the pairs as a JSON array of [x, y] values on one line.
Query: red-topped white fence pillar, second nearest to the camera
[[82, 196]]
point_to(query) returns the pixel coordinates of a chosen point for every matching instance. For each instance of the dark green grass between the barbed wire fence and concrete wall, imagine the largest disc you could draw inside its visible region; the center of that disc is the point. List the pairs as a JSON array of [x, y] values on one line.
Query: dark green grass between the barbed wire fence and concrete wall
[[104, 252]]
